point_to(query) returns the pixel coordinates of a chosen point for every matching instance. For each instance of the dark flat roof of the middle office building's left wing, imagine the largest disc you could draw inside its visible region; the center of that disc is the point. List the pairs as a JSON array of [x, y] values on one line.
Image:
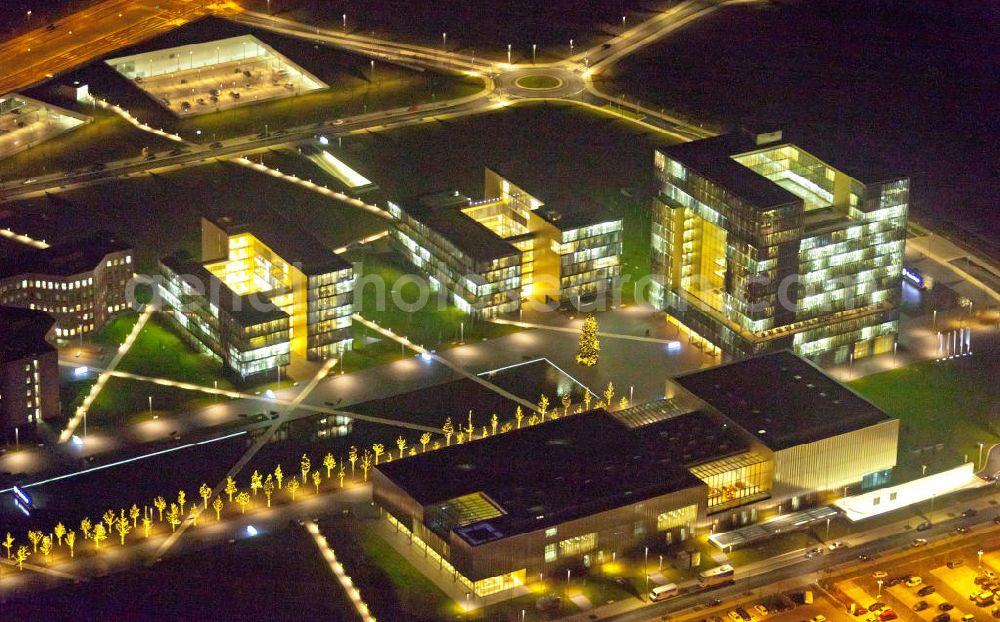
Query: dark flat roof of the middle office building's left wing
[[441, 211]]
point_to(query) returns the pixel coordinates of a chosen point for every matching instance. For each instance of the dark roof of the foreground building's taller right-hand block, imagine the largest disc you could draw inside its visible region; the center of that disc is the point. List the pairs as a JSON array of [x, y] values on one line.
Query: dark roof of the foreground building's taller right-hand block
[[782, 399]]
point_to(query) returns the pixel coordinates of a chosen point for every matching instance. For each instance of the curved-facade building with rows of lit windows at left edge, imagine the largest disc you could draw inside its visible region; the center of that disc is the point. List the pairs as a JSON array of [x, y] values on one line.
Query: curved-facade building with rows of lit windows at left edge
[[82, 284]]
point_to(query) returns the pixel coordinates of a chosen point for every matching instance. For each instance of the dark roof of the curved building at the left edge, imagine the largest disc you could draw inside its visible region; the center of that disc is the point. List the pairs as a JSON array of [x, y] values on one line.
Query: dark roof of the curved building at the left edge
[[64, 260]]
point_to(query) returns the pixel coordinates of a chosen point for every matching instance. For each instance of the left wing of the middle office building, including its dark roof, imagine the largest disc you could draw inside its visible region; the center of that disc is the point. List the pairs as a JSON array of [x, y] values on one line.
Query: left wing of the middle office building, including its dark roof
[[480, 271]]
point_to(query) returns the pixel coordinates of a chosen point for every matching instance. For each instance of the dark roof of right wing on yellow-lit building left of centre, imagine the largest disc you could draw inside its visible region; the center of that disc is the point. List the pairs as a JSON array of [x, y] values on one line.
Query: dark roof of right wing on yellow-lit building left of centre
[[287, 239]]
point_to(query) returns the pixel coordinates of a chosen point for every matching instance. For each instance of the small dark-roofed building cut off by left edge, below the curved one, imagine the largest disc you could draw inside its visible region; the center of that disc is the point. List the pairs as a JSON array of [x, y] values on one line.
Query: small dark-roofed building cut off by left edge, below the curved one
[[29, 368]]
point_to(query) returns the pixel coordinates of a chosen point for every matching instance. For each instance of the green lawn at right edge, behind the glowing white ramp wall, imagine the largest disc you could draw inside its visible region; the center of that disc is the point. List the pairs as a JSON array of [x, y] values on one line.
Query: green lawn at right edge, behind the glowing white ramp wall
[[947, 402]]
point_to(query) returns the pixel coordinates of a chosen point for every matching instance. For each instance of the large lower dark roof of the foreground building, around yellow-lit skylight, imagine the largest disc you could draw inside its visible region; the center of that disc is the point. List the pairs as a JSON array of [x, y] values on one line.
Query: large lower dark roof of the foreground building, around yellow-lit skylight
[[547, 474]]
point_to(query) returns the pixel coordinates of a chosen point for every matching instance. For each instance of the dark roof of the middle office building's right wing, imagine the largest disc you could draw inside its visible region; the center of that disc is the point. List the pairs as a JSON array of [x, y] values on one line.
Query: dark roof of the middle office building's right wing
[[546, 181]]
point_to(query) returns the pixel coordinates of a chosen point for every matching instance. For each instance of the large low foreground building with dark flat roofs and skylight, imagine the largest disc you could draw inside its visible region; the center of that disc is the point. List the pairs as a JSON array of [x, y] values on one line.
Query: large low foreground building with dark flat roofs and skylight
[[500, 511]]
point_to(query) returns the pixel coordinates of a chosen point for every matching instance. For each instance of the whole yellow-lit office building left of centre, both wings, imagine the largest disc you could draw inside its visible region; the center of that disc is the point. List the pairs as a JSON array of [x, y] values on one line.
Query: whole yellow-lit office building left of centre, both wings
[[268, 291]]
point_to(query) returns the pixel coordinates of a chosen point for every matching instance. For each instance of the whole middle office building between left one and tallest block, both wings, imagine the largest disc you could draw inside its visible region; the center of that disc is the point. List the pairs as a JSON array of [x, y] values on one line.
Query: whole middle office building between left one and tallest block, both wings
[[510, 246]]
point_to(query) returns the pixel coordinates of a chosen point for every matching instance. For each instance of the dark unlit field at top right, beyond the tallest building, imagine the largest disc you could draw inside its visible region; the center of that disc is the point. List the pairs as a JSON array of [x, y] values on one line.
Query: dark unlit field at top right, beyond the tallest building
[[912, 85]]
